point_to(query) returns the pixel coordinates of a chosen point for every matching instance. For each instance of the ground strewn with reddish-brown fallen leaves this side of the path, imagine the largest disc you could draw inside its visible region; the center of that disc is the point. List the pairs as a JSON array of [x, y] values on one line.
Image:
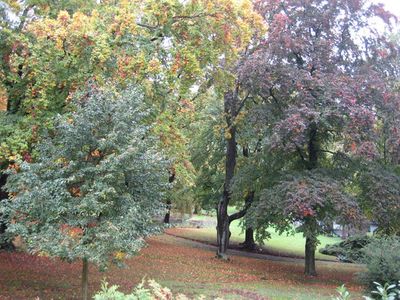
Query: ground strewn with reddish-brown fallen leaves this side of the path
[[182, 265]]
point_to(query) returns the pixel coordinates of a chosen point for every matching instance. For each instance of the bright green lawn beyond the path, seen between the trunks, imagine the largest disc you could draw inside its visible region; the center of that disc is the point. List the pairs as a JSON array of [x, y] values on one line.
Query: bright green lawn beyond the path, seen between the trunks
[[285, 245]]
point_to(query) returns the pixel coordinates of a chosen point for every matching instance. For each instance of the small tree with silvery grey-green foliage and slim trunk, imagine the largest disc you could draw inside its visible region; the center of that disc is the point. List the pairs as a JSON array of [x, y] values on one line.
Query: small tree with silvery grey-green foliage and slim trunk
[[96, 186]]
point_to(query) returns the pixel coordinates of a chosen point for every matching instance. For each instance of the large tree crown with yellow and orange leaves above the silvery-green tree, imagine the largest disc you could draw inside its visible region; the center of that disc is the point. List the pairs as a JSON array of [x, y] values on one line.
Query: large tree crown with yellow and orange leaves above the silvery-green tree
[[171, 48]]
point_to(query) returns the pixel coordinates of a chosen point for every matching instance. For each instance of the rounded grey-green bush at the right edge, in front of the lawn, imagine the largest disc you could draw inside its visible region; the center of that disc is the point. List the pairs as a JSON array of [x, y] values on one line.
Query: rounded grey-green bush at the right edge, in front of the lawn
[[382, 258]]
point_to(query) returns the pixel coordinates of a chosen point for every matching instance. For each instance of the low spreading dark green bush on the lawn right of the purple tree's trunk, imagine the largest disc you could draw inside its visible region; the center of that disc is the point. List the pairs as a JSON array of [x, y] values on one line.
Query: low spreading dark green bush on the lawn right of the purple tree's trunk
[[349, 250]]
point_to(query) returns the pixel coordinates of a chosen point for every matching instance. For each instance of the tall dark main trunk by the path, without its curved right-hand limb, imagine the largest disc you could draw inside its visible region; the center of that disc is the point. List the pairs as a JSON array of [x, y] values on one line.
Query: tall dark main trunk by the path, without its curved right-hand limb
[[230, 106]]
